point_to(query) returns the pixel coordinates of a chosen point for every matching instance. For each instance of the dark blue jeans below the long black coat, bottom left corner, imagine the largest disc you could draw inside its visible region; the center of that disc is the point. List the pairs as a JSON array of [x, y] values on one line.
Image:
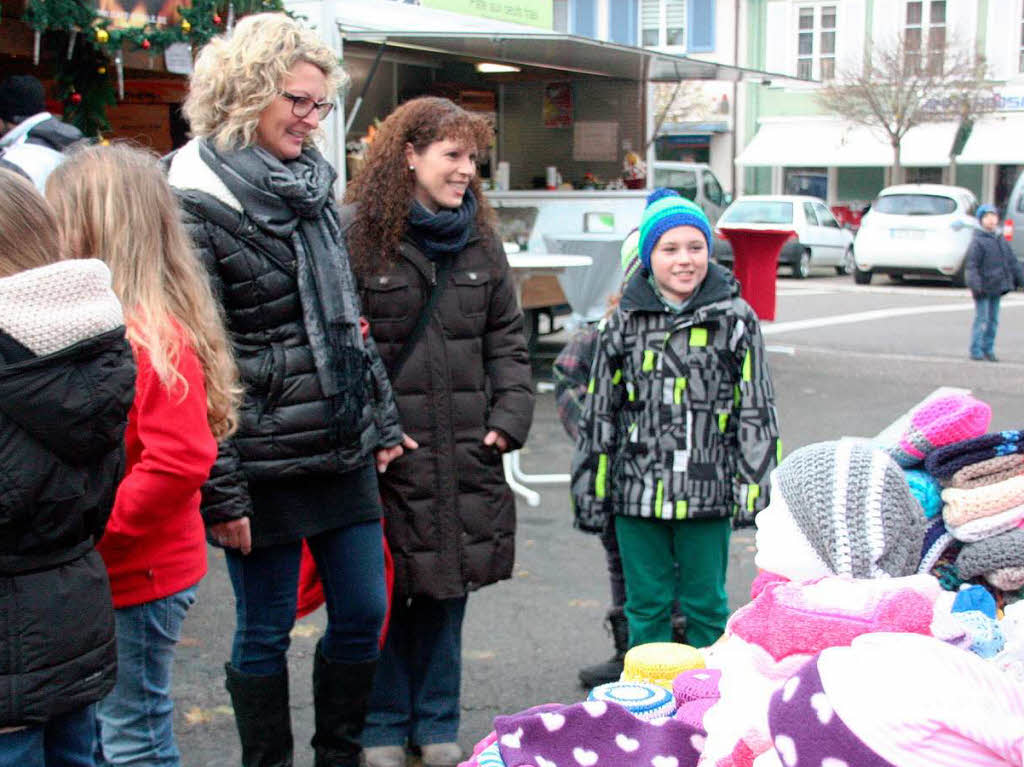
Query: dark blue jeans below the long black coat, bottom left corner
[[67, 741]]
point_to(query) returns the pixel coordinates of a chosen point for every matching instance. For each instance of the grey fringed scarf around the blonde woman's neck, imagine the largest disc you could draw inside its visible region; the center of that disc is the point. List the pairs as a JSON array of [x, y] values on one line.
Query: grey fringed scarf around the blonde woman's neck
[[294, 201]]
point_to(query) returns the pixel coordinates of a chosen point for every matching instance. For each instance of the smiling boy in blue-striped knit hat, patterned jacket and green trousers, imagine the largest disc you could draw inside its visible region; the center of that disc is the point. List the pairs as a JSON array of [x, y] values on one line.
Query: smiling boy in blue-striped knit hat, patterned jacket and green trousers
[[679, 431]]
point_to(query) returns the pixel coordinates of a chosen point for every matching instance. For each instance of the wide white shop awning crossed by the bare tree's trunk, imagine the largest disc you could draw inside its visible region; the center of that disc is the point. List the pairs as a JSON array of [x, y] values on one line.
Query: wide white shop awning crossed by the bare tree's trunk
[[818, 143]]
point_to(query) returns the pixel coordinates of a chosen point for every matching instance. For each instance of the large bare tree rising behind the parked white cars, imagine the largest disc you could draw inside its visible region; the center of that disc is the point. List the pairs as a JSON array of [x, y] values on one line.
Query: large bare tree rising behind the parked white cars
[[903, 86]]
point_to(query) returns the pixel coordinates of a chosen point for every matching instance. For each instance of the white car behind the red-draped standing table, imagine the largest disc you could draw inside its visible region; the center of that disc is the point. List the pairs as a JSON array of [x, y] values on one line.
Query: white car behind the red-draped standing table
[[820, 241]]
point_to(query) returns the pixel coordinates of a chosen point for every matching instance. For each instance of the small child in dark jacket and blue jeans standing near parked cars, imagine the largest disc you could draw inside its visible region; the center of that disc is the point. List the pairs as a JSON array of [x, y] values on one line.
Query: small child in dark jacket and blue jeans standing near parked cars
[[993, 271]]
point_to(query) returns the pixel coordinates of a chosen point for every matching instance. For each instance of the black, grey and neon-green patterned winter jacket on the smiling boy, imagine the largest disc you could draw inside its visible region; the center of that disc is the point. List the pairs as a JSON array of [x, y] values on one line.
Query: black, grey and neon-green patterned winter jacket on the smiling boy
[[679, 419]]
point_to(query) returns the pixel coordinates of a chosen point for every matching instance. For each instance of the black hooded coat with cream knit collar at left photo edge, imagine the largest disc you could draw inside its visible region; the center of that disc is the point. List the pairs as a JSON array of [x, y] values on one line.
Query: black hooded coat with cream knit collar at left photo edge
[[63, 418]]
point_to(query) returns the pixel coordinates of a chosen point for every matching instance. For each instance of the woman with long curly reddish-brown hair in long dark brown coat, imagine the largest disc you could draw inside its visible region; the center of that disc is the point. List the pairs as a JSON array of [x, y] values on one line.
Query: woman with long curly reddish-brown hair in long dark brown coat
[[442, 305]]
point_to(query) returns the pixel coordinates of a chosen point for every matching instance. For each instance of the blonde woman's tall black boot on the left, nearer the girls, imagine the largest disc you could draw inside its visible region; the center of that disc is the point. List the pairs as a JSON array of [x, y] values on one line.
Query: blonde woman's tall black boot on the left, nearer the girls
[[263, 717]]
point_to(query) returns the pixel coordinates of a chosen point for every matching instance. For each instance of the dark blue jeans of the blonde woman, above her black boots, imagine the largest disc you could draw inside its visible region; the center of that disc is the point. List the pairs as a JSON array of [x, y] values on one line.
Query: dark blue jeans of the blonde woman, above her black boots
[[351, 564]]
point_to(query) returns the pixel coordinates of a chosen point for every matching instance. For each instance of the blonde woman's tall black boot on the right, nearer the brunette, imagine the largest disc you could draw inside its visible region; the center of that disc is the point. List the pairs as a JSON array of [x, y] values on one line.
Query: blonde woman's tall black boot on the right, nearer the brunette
[[342, 694]]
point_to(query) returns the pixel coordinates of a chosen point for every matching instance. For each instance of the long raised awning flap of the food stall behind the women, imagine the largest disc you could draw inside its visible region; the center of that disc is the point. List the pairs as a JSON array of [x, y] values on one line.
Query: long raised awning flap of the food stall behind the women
[[552, 51]]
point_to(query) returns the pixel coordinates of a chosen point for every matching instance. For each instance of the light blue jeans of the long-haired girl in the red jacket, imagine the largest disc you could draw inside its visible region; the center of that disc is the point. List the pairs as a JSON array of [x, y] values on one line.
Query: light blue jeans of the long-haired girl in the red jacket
[[137, 719]]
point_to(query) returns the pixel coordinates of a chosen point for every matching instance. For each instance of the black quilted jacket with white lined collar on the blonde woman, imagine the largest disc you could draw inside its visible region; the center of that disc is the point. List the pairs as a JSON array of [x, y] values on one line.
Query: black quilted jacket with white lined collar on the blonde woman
[[283, 431]]
